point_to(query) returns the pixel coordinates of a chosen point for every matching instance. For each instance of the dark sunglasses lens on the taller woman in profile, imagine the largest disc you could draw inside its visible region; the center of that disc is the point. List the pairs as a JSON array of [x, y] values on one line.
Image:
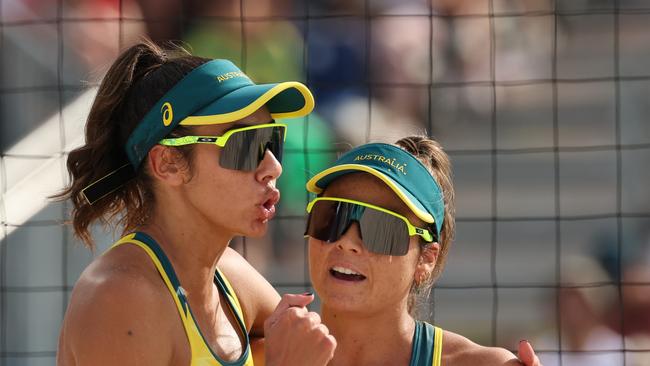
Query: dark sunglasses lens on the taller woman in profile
[[245, 149]]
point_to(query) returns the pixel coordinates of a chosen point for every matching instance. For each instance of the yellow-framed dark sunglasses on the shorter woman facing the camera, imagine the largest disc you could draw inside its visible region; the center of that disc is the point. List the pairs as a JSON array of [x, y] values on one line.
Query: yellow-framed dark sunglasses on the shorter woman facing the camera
[[382, 231]]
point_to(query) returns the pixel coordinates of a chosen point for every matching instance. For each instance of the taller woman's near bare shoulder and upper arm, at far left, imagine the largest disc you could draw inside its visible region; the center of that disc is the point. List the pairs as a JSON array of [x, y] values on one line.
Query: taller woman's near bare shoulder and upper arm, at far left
[[119, 303]]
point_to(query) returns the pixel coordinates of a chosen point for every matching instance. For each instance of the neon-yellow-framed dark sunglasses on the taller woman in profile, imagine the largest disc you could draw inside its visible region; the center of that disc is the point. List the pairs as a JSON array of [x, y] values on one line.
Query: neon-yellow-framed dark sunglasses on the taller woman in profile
[[242, 148]]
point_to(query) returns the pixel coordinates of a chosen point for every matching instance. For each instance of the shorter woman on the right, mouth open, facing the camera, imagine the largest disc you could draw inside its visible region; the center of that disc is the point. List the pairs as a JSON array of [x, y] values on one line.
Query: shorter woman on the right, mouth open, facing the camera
[[379, 234]]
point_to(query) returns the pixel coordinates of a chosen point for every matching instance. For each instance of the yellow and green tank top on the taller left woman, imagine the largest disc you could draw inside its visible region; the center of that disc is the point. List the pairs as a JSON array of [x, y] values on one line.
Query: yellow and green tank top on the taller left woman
[[202, 354]]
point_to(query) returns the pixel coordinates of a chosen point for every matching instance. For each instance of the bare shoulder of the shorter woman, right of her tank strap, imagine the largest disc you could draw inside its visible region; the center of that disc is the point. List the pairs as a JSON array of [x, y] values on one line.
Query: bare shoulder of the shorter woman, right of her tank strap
[[458, 350]]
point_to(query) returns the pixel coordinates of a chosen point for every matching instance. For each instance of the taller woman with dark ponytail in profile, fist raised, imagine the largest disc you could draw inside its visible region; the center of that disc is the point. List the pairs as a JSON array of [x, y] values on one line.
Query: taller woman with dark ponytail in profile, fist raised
[[170, 291]]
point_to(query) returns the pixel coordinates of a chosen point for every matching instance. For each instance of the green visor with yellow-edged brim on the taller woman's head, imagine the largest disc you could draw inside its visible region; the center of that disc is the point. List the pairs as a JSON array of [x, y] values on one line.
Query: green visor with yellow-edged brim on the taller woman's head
[[216, 92]]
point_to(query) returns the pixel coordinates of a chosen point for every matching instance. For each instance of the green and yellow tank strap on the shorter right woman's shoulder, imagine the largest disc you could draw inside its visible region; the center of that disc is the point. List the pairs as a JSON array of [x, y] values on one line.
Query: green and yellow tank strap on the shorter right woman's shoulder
[[427, 345]]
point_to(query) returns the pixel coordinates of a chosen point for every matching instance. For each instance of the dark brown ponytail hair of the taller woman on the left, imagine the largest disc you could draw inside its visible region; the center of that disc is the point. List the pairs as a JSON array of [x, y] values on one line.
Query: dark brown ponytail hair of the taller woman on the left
[[135, 82]]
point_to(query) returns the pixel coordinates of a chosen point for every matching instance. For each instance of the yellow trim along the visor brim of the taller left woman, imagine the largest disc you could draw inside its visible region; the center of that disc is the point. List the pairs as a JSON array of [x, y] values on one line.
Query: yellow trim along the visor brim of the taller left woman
[[257, 104]]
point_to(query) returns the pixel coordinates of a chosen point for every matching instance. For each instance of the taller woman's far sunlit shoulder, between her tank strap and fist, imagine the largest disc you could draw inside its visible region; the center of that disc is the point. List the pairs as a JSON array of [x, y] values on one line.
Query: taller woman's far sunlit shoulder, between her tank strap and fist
[[256, 295]]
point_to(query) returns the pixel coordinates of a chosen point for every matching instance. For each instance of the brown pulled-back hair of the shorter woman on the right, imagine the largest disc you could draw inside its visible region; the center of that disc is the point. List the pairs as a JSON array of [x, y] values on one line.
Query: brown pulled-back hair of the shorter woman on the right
[[431, 154]]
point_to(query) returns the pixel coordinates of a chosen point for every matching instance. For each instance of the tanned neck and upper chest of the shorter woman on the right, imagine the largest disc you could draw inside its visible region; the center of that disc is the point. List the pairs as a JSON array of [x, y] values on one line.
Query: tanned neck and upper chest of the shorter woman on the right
[[384, 338]]
